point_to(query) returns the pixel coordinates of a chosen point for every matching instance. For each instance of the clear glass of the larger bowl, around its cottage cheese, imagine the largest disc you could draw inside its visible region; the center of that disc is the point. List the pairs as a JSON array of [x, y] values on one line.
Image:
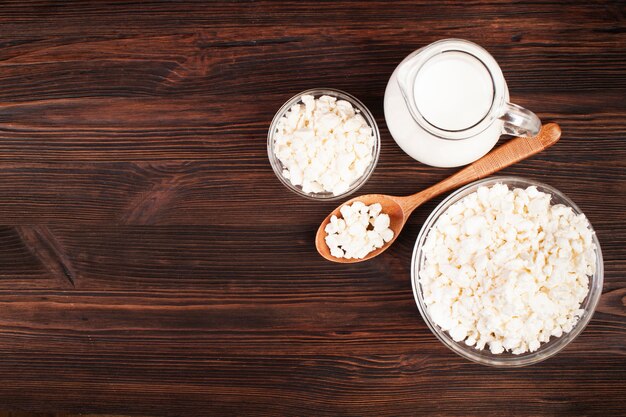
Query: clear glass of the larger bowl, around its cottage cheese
[[485, 357]]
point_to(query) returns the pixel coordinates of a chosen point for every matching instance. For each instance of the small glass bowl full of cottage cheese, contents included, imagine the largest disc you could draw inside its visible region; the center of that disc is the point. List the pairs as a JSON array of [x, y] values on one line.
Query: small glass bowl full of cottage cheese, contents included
[[323, 144]]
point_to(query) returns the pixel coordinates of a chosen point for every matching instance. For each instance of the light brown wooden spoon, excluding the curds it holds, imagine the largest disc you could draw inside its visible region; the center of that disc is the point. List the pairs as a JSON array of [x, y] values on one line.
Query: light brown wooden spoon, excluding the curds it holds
[[400, 208]]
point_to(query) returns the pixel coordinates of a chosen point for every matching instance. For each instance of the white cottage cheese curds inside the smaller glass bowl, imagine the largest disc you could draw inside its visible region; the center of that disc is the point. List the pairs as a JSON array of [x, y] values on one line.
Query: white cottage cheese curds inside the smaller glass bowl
[[324, 144]]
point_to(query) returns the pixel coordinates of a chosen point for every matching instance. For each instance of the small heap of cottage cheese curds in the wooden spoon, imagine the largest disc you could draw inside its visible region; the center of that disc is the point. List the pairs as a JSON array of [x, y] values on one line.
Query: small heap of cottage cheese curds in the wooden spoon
[[361, 230]]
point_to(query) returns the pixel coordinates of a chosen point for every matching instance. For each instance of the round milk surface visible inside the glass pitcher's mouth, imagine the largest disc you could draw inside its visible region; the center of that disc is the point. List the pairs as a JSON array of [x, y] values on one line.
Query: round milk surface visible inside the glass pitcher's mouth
[[453, 91]]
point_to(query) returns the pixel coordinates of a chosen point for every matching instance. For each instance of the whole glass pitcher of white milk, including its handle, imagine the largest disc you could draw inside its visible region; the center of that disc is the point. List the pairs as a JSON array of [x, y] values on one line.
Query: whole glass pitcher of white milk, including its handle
[[447, 104]]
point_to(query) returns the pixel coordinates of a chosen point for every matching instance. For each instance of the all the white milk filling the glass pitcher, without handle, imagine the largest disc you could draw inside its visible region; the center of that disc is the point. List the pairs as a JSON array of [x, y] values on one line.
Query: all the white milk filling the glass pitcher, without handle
[[453, 91]]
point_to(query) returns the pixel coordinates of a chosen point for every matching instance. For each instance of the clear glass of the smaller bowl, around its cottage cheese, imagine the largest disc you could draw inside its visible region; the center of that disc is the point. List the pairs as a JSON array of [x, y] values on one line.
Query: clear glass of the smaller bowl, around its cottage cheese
[[340, 95]]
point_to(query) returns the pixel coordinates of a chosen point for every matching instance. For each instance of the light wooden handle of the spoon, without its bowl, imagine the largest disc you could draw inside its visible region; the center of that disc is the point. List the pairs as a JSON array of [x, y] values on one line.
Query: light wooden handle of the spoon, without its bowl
[[511, 152]]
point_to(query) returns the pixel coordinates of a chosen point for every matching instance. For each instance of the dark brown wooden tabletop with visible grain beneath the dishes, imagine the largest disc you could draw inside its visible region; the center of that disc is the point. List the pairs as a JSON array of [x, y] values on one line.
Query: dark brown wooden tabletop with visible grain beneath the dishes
[[151, 263]]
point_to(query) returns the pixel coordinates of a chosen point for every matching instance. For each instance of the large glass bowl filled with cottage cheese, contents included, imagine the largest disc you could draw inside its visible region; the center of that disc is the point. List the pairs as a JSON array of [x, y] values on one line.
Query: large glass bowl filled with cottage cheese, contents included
[[507, 272]]
